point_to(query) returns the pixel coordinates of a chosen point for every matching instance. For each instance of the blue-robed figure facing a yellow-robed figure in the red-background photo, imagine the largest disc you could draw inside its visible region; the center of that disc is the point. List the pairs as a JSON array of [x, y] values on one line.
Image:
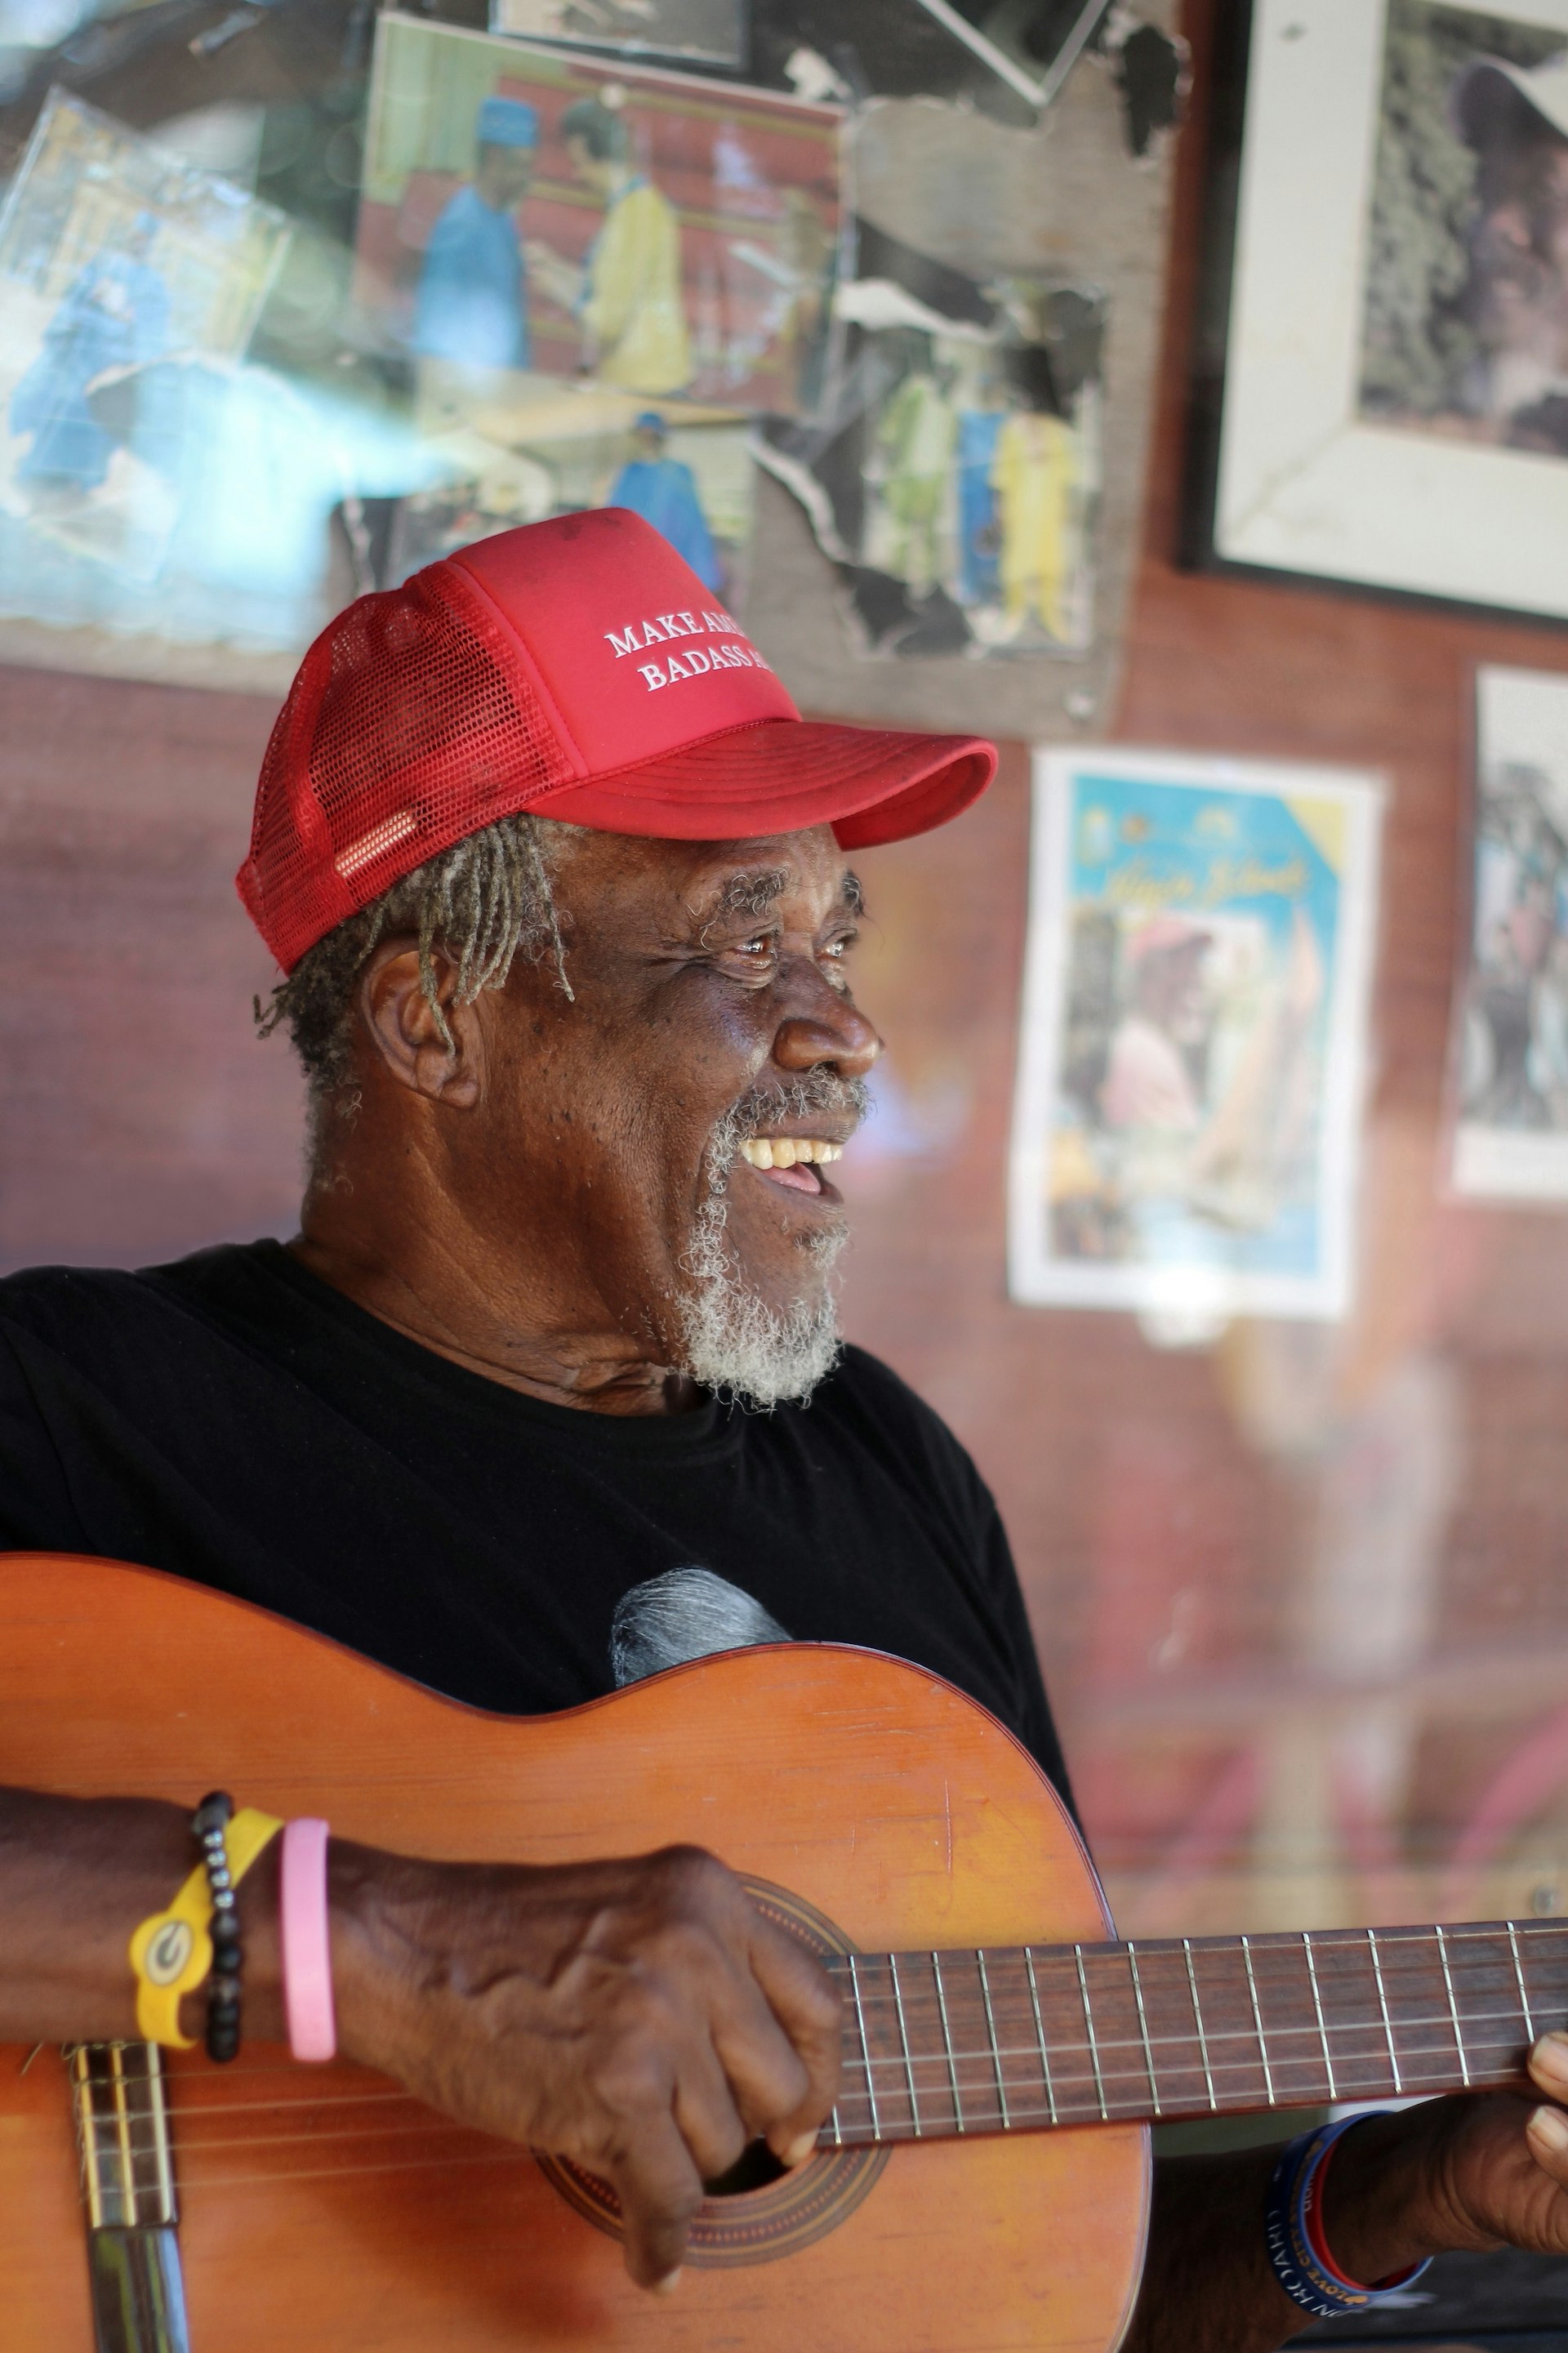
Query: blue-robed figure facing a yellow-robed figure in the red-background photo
[[472, 302]]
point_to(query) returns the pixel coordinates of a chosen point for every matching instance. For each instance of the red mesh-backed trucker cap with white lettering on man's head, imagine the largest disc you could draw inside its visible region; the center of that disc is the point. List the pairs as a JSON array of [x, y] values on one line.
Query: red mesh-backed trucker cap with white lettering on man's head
[[576, 669]]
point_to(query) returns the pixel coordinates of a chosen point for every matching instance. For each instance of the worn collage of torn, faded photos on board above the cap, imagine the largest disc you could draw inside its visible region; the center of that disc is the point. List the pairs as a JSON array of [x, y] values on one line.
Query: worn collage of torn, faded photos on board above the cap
[[265, 356]]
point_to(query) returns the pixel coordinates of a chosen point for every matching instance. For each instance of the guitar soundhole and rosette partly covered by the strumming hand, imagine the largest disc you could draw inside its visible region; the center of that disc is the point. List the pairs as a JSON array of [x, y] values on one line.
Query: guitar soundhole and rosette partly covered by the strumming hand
[[757, 2211]]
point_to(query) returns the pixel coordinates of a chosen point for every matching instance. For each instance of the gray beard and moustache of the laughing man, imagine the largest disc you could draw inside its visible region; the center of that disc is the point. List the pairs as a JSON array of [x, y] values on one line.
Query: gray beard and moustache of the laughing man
[[733, 1342]]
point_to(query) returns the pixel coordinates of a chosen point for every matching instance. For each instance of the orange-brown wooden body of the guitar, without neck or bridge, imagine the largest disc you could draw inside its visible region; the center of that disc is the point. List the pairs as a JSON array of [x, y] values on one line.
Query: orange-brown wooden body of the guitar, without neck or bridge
[[328, 2213]]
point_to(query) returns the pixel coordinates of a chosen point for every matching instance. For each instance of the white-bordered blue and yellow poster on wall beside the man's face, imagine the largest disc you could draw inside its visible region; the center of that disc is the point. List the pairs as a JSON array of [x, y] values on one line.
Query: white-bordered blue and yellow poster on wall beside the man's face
[[1192, 1051]]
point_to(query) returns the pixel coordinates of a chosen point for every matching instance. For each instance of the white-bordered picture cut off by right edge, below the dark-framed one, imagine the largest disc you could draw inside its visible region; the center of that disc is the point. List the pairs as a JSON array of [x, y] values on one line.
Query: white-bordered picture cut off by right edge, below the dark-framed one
[[1513, 1015]]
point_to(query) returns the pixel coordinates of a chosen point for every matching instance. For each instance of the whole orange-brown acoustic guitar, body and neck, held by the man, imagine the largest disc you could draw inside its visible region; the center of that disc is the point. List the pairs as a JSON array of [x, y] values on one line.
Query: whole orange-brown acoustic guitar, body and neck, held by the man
[[985, 2178]]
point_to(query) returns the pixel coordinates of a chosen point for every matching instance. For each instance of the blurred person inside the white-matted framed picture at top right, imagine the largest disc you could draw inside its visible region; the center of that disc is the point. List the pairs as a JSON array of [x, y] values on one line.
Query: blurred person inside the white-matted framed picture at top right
[[1517, 291]]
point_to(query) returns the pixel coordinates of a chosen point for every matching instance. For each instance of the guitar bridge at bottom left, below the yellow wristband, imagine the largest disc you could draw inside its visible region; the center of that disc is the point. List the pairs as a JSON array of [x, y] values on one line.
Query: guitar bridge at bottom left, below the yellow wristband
[[128, 2187]]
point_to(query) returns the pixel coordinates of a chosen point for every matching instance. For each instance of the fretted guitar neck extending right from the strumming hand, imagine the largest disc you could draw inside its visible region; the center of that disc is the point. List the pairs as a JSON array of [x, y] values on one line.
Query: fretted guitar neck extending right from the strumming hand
[[1035, 2037]]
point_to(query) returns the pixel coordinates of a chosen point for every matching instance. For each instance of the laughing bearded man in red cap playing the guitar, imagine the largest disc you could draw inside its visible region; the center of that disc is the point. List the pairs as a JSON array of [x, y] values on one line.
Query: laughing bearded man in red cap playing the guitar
[[559, 884]]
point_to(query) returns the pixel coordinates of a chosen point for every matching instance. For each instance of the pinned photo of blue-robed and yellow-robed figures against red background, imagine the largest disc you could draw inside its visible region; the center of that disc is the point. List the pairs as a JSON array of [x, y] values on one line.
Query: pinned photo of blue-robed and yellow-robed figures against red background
[[632, 232]]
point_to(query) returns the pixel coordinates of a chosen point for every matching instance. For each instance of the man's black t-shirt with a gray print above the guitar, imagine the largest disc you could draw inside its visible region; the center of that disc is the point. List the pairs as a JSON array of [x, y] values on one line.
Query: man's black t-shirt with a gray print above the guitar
[[239, 1422]]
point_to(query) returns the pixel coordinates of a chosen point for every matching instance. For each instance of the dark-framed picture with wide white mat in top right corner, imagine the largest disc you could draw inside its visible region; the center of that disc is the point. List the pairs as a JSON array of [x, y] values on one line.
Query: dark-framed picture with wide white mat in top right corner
[[1395, 406]]
